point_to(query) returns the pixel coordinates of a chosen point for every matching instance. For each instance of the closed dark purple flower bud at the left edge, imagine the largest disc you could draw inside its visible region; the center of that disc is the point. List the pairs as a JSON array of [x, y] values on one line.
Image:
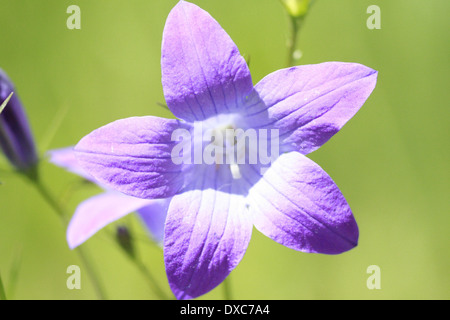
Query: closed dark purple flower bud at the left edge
[[16, 139]]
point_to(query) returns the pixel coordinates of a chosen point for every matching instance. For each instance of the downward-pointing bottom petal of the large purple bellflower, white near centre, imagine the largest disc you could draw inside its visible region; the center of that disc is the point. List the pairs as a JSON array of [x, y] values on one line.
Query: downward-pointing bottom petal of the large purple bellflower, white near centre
[[207, 233]]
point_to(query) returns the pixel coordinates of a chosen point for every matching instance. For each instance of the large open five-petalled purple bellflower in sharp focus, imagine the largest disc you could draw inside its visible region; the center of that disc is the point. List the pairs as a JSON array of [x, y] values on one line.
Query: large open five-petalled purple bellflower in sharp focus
[[214, 206]]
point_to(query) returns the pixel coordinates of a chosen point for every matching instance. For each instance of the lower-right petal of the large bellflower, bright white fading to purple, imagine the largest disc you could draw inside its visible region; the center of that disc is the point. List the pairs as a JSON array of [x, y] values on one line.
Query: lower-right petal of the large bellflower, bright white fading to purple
[[298, 205]]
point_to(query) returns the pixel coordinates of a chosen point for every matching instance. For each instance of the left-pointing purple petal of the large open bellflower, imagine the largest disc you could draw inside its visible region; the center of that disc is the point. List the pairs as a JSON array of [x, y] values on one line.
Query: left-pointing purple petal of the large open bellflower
[[133, 156]]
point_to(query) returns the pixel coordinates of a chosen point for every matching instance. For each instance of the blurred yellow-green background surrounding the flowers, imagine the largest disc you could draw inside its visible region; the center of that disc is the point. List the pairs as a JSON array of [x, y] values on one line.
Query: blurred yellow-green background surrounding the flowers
[[391, 160]]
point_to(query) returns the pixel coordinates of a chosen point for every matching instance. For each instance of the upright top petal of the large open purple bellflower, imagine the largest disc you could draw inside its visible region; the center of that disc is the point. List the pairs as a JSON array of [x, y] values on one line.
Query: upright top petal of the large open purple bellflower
[[203, 73]]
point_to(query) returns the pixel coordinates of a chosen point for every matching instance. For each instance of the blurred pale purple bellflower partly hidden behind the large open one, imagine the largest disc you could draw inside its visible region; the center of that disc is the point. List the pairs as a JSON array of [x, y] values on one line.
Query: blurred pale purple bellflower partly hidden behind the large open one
[[95, 213]]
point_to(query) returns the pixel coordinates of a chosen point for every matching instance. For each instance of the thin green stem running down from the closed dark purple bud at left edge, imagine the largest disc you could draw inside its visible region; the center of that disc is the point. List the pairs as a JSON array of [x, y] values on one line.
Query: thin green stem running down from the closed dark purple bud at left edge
[[34, 178]]
